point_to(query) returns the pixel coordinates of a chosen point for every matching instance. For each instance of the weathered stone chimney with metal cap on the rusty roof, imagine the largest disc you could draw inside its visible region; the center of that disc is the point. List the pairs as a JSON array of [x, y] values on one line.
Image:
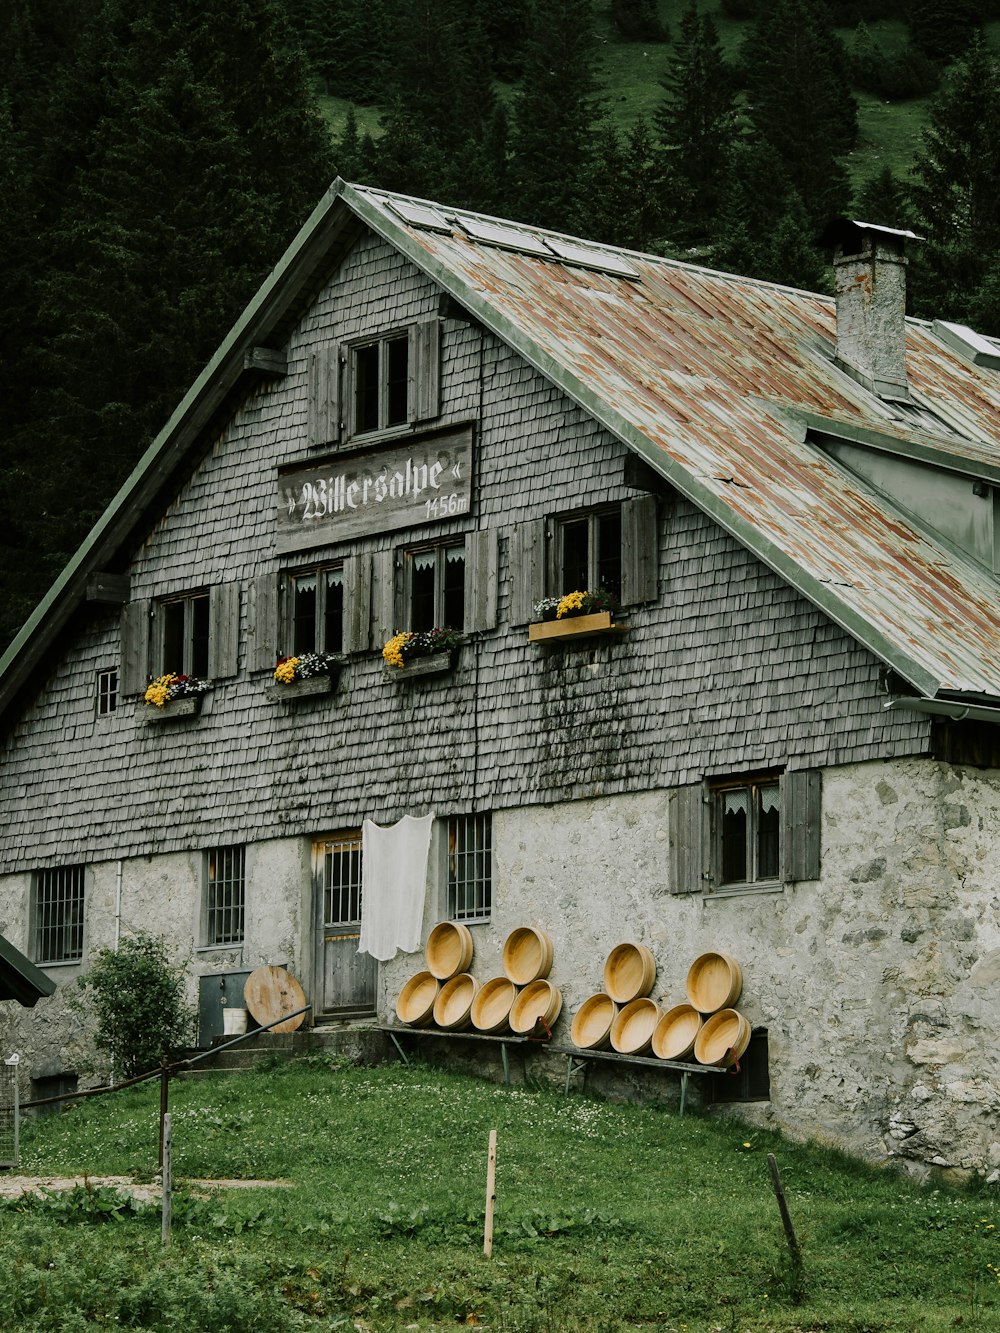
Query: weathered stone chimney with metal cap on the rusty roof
[[871, 285]]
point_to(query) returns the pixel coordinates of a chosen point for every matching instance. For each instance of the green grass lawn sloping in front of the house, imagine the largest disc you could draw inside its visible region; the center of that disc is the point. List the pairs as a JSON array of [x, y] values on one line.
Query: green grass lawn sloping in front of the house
[[609, 1218]]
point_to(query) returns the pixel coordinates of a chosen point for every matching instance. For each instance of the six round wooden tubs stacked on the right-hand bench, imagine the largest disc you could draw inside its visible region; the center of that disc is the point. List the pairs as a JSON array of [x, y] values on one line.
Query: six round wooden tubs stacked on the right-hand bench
[[626, 1019]]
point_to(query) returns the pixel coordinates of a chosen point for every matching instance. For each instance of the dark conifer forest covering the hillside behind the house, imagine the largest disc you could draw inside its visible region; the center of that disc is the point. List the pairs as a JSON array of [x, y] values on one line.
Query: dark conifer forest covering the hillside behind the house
[[158, 159]]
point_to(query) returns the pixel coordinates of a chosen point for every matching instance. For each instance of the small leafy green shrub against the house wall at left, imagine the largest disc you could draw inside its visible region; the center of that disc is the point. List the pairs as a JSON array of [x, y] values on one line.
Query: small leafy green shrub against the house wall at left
[[138, 1000]]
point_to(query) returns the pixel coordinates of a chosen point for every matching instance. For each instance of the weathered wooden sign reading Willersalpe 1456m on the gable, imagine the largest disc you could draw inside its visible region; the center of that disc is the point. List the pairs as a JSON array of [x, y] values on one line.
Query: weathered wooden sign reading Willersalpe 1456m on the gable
[[421, 481]]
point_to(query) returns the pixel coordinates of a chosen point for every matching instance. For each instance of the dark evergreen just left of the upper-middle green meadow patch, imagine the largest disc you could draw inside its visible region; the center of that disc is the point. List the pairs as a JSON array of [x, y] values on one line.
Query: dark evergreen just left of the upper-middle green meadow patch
[[551, 139]]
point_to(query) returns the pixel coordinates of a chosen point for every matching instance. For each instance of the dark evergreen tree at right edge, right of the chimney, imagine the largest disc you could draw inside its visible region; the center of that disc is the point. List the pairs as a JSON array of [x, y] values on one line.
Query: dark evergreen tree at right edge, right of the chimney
[[957, 194]]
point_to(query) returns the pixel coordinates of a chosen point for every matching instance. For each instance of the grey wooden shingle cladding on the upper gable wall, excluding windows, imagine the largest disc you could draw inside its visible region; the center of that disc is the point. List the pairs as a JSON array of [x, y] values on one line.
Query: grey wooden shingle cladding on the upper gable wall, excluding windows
[[731, 671]]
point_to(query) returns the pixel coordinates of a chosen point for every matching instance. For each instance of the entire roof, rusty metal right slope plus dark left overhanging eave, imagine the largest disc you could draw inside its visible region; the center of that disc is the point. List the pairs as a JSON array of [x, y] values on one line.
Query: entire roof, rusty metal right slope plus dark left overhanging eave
[[721, 383]]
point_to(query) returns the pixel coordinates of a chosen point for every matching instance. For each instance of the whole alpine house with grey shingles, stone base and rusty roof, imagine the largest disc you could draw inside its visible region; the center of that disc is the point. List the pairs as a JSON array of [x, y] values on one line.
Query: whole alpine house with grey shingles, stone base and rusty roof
[[783, 746]]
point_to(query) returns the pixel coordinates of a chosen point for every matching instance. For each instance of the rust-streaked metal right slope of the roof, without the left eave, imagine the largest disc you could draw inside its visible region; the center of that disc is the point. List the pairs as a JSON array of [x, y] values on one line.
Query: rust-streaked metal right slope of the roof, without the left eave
[[717, 382]]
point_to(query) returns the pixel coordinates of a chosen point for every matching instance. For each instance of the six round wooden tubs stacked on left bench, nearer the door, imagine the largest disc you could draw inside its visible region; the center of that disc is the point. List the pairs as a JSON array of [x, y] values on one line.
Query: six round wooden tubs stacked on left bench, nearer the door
[[449, 996]]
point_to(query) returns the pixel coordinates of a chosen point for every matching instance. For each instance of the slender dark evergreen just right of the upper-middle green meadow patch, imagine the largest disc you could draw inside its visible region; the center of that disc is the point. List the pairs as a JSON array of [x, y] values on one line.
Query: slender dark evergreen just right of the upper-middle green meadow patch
[[695, 127]]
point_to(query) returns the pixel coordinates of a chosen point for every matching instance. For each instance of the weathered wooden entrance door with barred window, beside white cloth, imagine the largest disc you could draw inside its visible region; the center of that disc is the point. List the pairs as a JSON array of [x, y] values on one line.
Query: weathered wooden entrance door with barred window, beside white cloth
[[346, 978]]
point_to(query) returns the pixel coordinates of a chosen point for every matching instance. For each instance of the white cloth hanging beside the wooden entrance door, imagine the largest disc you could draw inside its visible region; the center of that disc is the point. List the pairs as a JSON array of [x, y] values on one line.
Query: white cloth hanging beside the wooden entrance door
[[394, 886]]
